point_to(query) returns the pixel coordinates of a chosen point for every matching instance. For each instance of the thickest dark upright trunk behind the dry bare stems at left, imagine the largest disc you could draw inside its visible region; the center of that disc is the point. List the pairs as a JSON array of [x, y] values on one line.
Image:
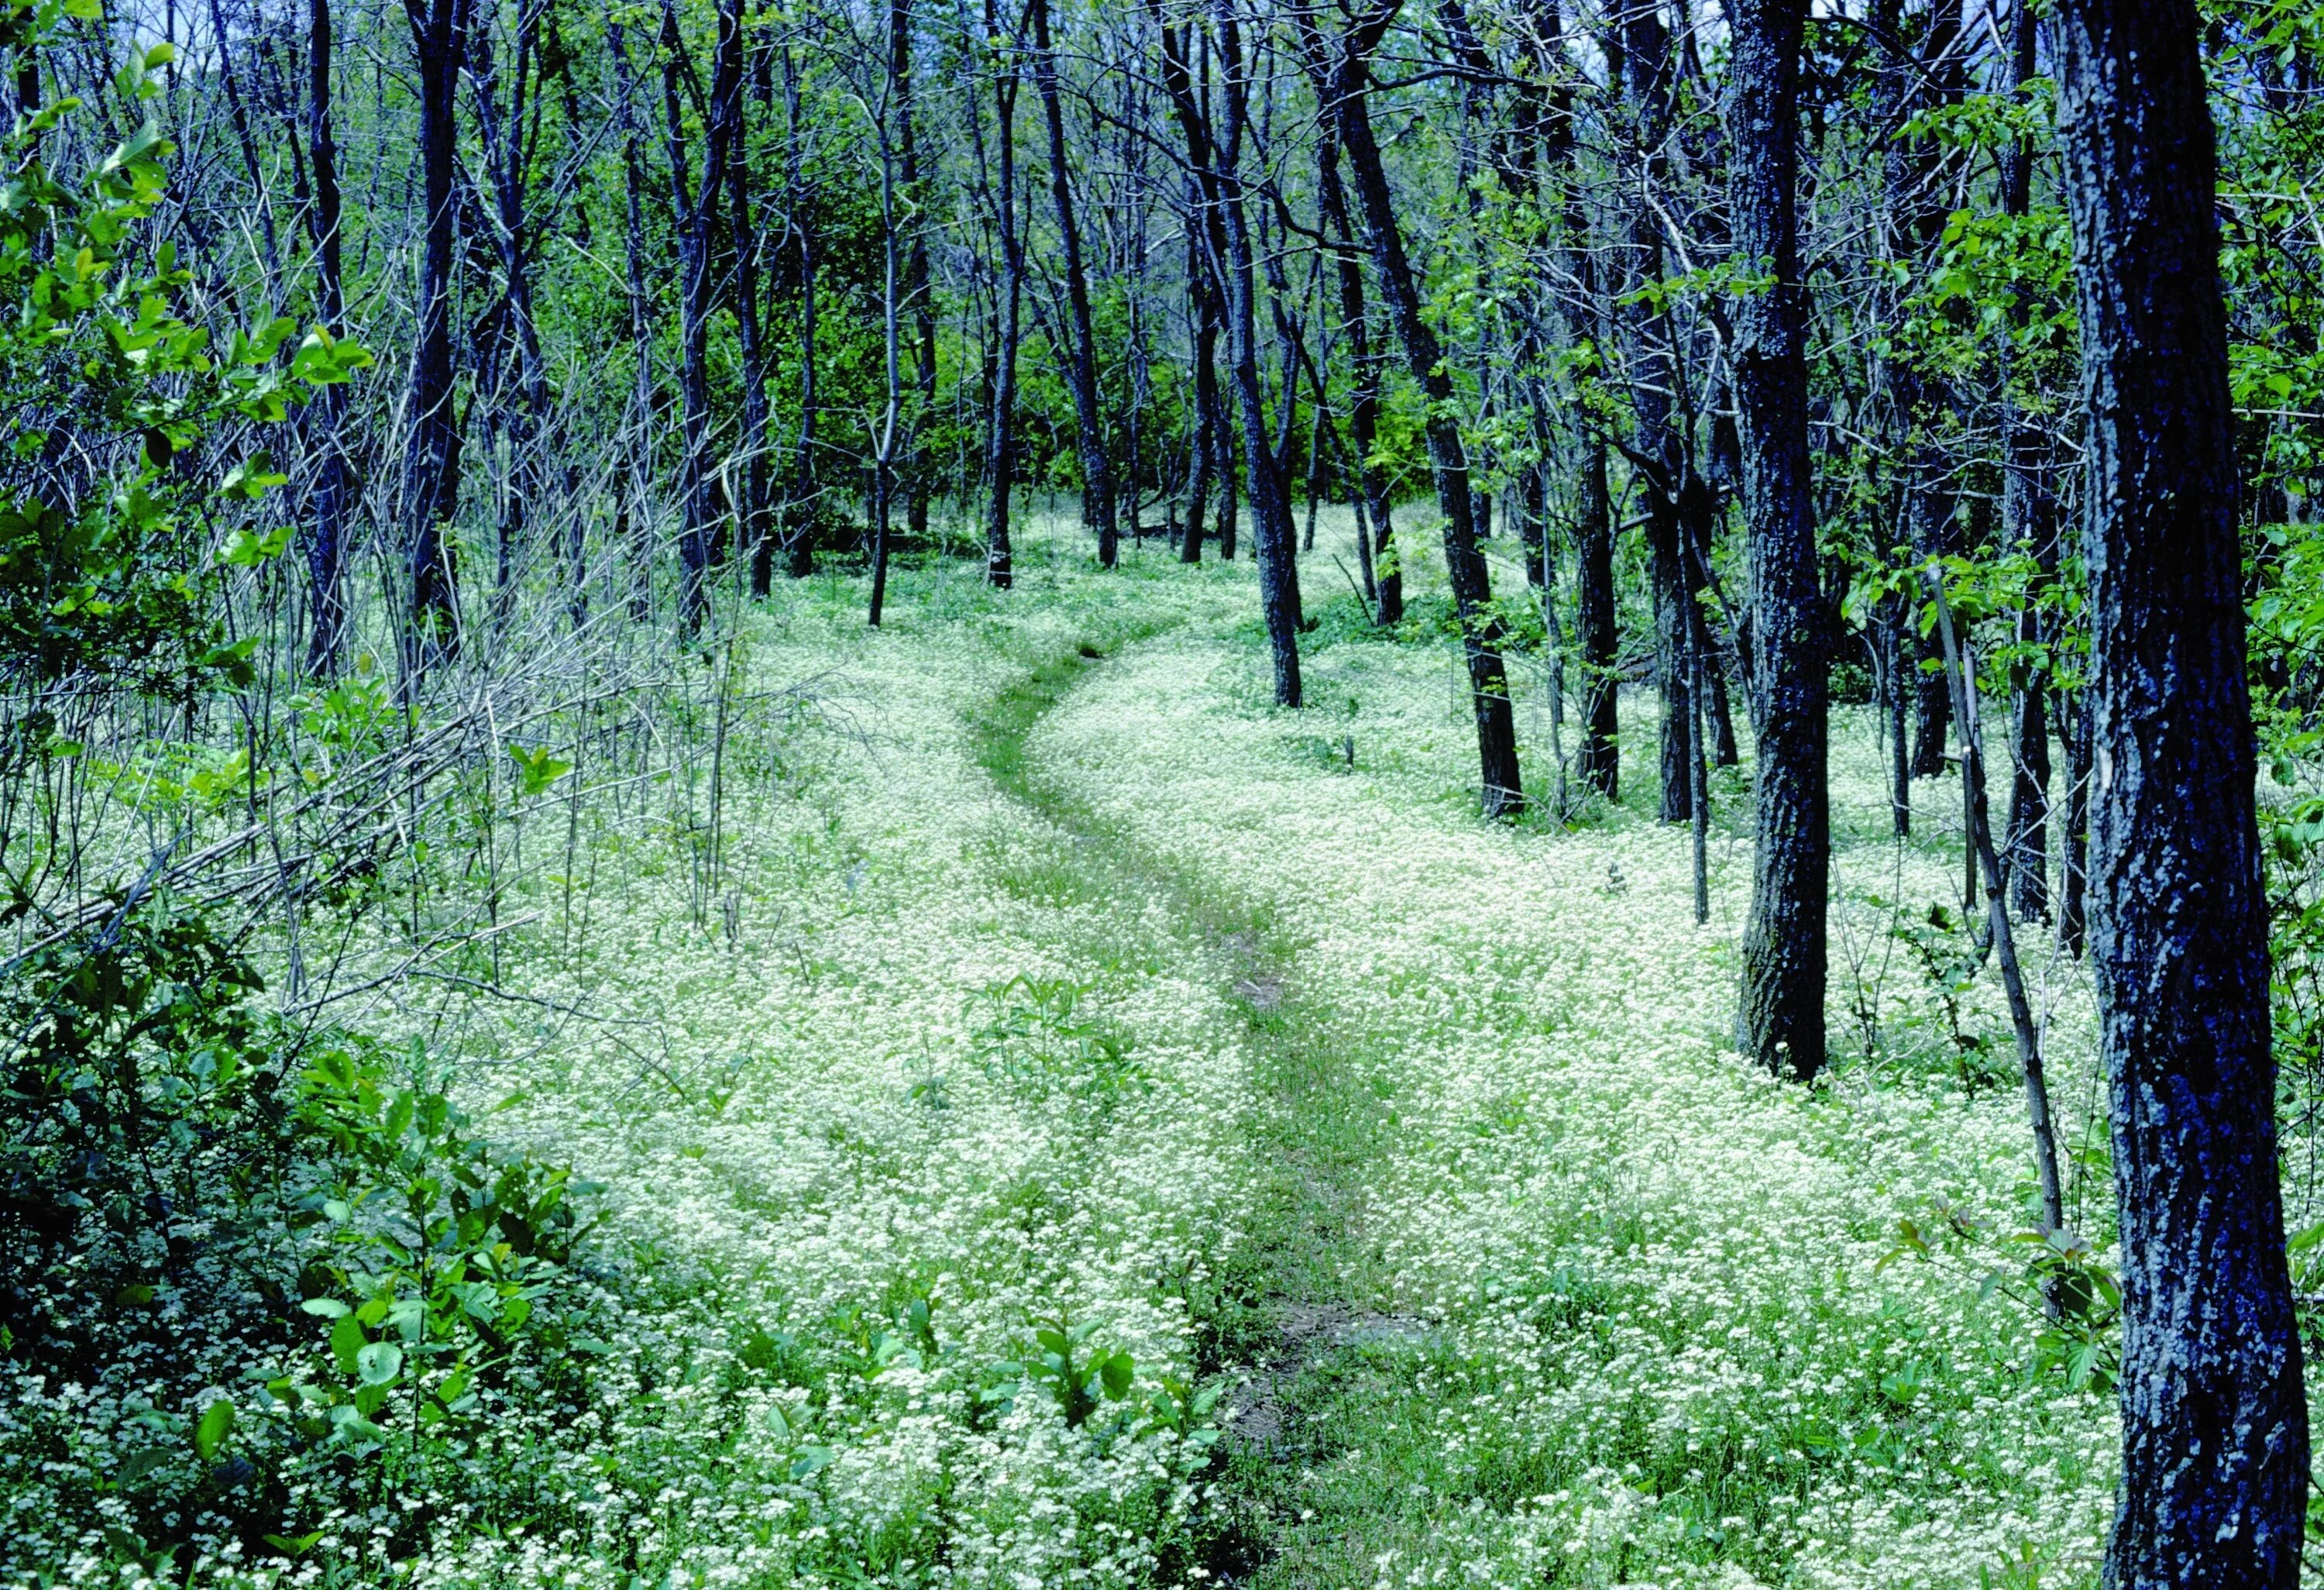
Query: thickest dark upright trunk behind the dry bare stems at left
[[433, 452]]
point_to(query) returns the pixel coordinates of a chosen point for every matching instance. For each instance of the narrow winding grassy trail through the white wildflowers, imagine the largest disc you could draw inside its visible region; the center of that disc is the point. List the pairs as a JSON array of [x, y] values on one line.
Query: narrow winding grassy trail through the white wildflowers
[[1282, 1308]]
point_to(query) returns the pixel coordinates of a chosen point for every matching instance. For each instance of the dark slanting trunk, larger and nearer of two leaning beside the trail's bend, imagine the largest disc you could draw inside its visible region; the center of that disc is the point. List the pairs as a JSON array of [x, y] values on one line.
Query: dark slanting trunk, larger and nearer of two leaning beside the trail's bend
[[1344, 83]]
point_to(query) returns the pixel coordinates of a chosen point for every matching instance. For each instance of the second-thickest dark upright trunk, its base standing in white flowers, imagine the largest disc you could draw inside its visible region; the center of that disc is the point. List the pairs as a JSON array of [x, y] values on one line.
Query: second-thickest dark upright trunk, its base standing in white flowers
[[1781, 1022]]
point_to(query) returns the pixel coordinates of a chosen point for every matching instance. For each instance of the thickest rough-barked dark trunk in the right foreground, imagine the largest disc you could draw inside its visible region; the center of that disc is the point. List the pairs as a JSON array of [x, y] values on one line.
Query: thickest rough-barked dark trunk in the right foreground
[[2214, 1410]]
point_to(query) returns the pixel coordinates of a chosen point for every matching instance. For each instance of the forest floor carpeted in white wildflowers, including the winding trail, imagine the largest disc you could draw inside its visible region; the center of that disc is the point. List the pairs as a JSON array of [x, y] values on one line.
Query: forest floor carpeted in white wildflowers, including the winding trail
[[1096, 1129]]
